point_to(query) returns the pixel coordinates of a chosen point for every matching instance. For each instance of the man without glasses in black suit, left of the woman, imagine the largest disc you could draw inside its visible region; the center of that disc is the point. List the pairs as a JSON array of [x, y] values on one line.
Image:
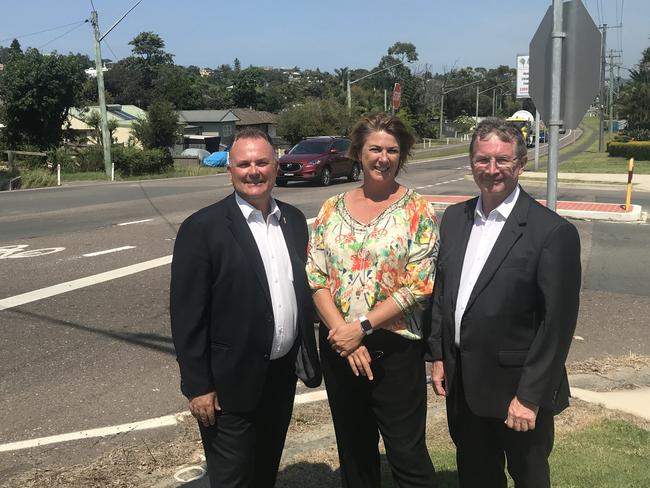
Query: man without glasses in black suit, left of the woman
[[242, 319]]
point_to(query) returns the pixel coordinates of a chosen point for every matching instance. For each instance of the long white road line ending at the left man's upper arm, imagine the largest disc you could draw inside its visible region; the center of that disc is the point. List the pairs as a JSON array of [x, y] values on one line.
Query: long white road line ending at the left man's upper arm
[[50, 291]]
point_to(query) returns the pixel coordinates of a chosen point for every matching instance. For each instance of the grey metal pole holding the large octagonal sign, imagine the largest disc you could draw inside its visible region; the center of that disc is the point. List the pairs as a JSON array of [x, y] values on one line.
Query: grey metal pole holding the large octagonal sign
[[554, 120]]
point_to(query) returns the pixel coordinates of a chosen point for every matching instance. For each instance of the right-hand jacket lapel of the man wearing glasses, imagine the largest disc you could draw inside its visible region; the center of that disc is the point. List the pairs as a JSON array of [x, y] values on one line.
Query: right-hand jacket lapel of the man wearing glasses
[[511, 232]]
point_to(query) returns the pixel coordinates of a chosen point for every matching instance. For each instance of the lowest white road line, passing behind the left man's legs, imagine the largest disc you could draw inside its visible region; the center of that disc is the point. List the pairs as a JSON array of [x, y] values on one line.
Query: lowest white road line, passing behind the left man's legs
[[155, 423]]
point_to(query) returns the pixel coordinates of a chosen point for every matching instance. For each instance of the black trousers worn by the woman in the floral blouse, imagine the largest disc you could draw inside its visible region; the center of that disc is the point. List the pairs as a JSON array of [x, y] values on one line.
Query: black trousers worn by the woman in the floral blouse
[[393, 404]]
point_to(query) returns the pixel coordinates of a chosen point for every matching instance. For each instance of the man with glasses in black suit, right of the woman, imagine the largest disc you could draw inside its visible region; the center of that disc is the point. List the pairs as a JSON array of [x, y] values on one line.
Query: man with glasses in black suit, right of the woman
[[505, 307]]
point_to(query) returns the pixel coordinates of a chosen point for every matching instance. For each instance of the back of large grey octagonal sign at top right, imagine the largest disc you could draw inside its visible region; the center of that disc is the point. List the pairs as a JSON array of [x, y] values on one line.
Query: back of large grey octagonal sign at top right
[[580, 64]]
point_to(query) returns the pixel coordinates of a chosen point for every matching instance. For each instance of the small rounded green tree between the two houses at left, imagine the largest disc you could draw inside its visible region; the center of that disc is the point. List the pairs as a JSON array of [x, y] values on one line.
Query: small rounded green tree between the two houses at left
[[159, 129]]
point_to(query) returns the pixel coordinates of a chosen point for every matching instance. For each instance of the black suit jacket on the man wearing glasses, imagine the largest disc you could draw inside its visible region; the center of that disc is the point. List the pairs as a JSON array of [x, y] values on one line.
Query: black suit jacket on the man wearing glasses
[[521, 315]]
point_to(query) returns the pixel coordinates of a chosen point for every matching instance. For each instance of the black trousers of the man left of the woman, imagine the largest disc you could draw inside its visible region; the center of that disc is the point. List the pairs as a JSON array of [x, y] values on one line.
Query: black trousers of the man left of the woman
[[243, 449]]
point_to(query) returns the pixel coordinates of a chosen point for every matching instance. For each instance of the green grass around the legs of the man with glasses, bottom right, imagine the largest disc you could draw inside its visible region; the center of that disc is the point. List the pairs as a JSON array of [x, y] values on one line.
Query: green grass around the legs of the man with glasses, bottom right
[[606, 454]]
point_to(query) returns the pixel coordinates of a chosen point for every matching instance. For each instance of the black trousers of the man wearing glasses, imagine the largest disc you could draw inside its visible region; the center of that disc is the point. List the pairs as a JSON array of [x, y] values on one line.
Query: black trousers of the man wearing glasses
[[484, 444]]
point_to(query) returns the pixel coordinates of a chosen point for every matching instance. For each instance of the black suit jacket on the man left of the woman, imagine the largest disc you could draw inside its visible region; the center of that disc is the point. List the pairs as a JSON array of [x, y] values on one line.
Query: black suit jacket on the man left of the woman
[[220, 305]]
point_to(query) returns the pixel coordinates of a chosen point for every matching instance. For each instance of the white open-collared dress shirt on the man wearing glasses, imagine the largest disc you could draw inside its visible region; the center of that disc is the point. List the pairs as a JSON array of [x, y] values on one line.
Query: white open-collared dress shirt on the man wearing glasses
[[485, 232]]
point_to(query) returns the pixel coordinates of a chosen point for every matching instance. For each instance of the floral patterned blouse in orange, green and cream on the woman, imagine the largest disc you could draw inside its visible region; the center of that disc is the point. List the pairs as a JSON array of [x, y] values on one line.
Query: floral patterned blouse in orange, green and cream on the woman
[[363, 264]]
